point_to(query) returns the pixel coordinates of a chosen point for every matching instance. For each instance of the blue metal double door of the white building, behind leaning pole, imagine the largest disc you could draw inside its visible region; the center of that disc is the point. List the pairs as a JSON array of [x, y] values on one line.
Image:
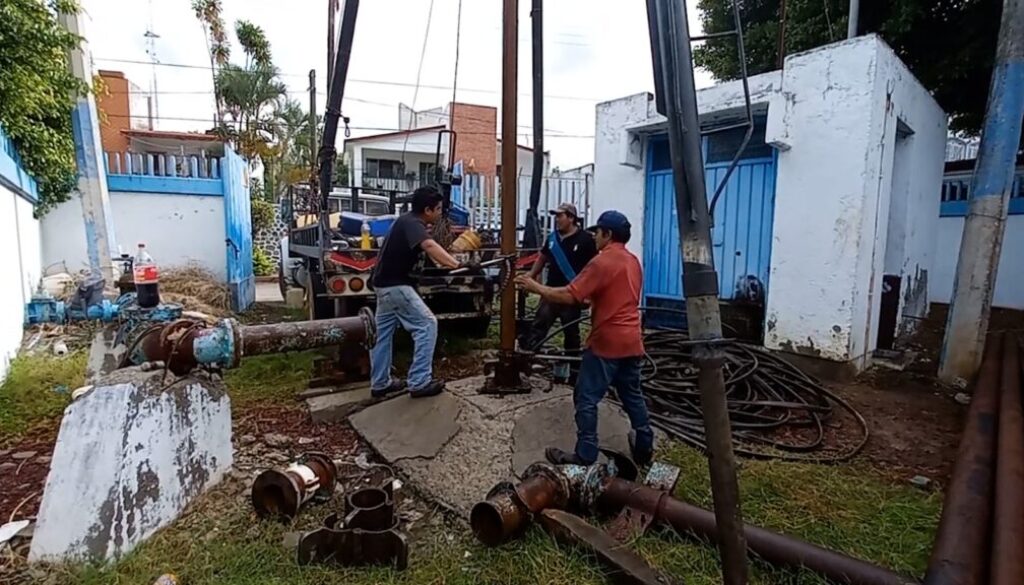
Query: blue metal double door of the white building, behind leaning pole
[[743, 224]]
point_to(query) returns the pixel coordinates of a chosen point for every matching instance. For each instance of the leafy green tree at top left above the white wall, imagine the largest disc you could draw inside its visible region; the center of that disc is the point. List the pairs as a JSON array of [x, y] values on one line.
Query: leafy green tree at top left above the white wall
[[38, 93]]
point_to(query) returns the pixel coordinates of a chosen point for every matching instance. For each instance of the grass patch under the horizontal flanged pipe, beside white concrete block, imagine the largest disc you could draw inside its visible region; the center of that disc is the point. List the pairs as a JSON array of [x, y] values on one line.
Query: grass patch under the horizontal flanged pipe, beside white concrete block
[[270, 380]]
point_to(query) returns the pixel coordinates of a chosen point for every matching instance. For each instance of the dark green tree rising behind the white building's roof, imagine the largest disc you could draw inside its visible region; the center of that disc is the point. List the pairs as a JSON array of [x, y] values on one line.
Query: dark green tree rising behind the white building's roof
[[949, 45]]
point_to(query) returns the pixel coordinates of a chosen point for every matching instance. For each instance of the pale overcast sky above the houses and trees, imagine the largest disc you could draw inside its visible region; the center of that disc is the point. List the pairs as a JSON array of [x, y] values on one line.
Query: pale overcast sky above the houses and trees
[[594, 51]]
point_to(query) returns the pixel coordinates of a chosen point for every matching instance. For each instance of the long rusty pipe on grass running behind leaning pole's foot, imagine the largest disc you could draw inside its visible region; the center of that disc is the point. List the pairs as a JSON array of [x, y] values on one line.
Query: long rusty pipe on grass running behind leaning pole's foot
[[774, 548]]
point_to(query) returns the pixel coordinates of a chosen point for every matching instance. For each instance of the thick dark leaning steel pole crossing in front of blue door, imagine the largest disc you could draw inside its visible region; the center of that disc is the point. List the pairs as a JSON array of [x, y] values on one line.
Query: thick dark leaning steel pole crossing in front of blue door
[[678, 102]]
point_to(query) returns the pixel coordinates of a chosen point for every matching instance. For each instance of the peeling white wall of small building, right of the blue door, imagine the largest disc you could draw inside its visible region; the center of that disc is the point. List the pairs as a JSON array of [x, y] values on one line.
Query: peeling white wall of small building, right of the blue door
[[836, 122]]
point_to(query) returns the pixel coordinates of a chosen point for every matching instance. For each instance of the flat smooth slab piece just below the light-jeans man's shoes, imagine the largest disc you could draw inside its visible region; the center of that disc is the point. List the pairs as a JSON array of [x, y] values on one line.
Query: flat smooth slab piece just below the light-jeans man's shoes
[[405, 429]]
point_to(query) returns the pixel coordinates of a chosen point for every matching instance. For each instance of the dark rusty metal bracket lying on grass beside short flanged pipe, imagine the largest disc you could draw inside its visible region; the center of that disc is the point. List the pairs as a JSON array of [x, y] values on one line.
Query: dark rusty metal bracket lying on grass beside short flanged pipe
[[369, 535]]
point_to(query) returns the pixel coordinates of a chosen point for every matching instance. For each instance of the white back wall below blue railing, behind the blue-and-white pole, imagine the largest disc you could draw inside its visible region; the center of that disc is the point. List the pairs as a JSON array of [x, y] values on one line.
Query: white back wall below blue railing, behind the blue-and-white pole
[[177, 229]]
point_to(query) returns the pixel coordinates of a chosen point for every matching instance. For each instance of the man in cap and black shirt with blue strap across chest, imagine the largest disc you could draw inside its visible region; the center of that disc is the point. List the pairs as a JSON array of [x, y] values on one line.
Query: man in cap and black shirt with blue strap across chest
[[566, 254]]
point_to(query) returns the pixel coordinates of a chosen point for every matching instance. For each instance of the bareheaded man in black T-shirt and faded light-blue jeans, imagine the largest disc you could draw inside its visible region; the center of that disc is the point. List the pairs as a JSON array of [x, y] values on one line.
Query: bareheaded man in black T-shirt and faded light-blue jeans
[[399, 304]]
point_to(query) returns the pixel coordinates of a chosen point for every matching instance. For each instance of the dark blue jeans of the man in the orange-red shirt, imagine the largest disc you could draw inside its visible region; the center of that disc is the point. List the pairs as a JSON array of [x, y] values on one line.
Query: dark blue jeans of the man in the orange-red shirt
[[596, 375]]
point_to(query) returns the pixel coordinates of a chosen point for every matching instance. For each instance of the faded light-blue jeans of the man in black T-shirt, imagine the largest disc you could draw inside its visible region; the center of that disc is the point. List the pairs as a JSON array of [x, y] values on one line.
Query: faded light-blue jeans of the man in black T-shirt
[[402, 306]]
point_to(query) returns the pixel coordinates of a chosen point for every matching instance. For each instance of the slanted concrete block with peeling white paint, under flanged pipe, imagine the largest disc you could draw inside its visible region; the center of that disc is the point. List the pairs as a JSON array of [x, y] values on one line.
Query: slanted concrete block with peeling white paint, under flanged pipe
[[131, 456]]
